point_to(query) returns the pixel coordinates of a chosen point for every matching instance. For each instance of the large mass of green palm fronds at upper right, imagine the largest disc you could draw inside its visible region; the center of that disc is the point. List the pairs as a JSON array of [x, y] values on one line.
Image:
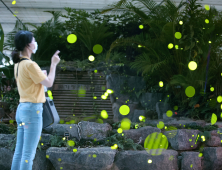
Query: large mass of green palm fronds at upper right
[[171, 65]]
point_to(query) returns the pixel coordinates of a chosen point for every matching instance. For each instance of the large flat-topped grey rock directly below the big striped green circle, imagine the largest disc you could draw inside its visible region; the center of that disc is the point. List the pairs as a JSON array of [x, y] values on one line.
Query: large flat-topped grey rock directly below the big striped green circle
[[138, 160]]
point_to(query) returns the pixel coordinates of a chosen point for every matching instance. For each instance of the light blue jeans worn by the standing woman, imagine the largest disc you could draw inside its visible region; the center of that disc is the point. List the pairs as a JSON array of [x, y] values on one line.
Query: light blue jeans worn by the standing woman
[[29, 129]]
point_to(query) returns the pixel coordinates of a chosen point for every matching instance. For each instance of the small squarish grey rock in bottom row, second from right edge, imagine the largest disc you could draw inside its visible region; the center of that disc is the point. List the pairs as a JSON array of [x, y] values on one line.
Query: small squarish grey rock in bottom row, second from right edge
[[191, 159]]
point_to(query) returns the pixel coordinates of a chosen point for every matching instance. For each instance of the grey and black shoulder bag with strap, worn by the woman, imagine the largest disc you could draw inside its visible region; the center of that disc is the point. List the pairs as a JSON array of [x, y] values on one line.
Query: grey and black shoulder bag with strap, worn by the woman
[[50, 114]]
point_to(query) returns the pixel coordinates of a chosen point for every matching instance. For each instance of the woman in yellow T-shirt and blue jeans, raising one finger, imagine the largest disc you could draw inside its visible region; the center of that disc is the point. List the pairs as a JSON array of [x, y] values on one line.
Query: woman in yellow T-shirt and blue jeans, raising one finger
[[30, 80]]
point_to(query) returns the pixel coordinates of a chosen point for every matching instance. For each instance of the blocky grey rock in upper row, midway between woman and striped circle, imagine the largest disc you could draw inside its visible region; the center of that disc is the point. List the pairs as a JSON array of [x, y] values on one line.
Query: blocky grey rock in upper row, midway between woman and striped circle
[[92, 130]]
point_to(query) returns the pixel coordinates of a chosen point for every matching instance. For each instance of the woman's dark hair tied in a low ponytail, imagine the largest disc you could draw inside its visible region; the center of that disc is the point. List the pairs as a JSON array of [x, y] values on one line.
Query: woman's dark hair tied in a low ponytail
[[22, 38]]
